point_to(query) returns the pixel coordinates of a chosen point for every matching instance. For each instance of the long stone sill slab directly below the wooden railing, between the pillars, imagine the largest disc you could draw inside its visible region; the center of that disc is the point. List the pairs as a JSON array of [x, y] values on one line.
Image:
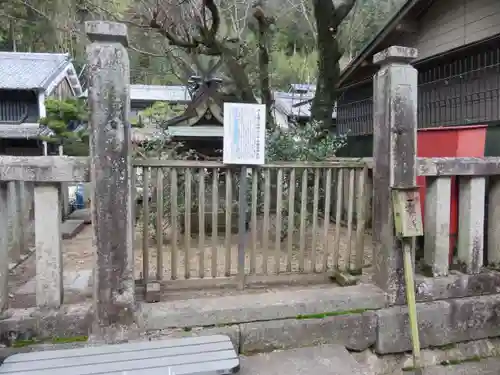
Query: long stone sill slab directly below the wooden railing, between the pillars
[[259, 307]]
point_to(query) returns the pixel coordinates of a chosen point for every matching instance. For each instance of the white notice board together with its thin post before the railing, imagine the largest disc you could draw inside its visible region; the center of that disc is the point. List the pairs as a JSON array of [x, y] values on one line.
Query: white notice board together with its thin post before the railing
[[244, 145]]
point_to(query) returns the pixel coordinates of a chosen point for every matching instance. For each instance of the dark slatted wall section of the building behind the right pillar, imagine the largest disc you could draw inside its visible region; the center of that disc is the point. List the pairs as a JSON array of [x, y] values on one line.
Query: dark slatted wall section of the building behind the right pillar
[[460, 88]]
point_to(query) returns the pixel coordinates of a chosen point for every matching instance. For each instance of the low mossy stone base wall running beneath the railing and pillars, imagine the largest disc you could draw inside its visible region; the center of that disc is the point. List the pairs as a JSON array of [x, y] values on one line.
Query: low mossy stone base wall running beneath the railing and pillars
[[355, 317]]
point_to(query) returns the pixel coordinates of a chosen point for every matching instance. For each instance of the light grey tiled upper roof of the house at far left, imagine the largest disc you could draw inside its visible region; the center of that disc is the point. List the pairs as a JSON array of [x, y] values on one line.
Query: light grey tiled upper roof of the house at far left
[[30, 71]]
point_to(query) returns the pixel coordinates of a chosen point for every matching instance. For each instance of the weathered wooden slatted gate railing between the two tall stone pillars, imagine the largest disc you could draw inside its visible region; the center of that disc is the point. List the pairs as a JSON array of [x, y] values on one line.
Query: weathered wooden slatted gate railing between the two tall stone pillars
[[300, 220]]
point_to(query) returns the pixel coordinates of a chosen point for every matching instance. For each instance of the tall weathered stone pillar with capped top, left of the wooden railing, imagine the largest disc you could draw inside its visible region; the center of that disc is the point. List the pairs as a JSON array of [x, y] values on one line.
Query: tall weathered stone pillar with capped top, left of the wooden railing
[[110, 155]]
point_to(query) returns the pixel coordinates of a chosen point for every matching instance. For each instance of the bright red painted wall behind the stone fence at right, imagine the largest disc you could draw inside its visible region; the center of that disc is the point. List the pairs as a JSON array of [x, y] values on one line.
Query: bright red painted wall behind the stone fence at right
[[462, 141]]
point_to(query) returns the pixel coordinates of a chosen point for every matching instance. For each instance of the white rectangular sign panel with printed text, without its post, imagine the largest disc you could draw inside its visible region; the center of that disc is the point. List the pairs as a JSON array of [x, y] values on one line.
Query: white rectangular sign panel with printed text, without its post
[[244, 133]]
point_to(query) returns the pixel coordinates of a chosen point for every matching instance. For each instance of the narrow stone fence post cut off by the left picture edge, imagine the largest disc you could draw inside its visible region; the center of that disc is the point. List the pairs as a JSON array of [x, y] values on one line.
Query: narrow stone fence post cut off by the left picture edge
[[4, 251]]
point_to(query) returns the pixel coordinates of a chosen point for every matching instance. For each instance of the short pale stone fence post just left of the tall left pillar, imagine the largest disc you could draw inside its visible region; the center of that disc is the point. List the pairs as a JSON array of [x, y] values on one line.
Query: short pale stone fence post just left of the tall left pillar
[[49, 272]]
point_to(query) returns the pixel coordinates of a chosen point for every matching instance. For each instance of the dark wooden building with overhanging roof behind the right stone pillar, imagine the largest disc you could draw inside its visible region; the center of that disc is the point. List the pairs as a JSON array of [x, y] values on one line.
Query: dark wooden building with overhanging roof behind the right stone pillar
[[458, 65]]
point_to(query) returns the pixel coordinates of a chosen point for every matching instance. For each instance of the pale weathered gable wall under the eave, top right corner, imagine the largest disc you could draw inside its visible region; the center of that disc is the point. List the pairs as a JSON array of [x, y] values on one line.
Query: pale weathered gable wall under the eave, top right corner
[[449, 24]]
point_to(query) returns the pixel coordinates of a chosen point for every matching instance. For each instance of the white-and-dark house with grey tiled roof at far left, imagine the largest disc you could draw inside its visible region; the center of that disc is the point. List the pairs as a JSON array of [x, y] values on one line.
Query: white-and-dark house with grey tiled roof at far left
[[26, 80]]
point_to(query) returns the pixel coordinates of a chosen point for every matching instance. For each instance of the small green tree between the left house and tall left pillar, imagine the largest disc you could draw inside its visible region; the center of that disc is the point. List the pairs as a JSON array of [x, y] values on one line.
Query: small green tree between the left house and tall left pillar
[[60, 113]]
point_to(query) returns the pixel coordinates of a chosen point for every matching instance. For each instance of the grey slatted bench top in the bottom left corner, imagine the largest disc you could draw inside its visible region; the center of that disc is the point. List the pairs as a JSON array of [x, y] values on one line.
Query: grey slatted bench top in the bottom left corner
[[205, 355]]
